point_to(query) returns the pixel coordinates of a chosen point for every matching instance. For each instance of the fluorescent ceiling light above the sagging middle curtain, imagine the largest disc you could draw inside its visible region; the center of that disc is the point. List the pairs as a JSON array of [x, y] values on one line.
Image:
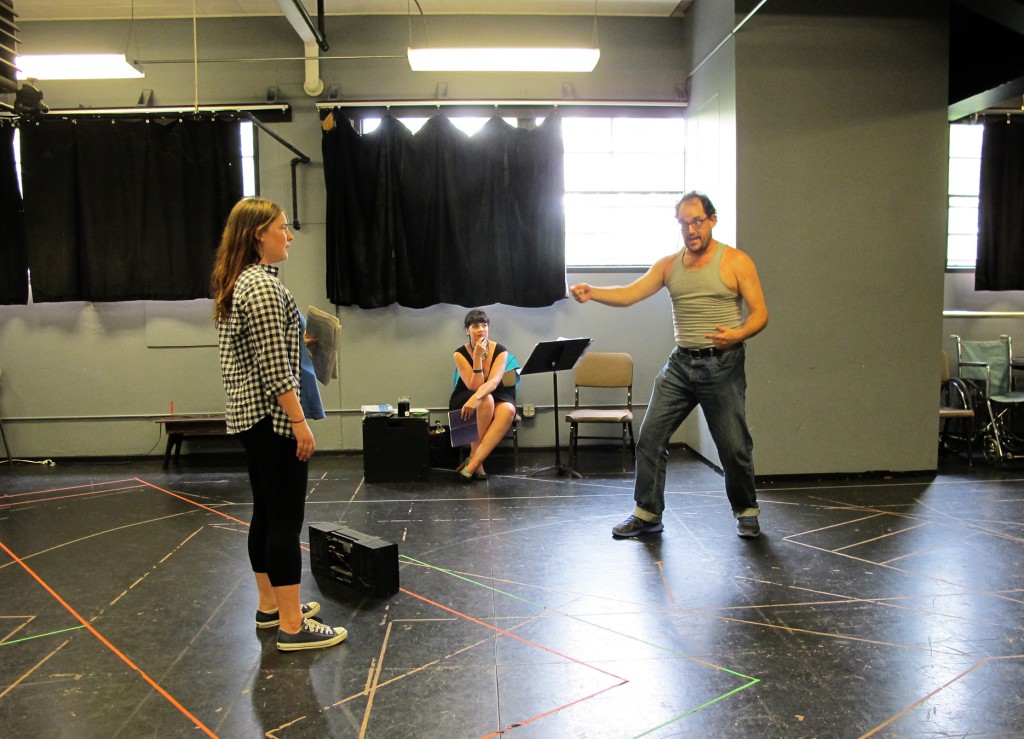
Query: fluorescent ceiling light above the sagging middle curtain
[[523, 60]]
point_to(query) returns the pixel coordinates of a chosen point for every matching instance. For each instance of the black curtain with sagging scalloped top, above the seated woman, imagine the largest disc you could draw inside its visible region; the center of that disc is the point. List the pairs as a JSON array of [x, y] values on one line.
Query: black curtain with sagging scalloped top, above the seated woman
[[442, 218]]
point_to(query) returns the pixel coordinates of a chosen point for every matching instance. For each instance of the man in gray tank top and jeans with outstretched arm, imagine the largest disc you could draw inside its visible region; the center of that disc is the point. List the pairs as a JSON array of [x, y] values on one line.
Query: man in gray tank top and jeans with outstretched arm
[[710, 284]]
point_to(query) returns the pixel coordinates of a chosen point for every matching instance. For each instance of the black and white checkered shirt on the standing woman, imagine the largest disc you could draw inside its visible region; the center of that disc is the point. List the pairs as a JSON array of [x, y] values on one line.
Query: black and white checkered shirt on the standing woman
[[260, 351]]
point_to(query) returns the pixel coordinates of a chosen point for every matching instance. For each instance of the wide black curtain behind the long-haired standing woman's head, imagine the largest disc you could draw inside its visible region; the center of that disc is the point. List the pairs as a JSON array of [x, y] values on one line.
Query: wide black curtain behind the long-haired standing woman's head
[[127, 209]]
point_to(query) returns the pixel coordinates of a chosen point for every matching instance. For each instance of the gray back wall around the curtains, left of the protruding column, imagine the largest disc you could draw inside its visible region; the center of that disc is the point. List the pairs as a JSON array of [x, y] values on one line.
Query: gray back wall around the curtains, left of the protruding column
[[88, 379]]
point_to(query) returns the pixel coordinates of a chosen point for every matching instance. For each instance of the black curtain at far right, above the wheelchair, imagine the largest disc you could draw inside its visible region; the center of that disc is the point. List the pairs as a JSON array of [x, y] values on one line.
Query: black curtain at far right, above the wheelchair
[[1001, 210]]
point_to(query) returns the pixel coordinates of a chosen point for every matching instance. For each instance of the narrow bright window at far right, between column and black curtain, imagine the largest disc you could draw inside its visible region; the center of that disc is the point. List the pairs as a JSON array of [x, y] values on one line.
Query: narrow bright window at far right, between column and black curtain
[[965, 183]]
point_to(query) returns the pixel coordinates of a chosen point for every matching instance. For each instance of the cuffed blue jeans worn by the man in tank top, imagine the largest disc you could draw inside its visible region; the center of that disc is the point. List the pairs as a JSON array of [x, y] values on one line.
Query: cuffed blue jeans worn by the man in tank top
[[718, 385]]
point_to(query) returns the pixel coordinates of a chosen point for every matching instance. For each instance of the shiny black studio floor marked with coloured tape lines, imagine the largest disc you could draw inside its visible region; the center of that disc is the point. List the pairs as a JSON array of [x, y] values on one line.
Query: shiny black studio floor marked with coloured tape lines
[[888, 608]]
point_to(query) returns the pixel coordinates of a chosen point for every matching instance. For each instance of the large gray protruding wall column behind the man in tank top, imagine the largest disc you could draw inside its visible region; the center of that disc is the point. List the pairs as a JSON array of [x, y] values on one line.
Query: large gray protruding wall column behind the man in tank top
[[836, 116]]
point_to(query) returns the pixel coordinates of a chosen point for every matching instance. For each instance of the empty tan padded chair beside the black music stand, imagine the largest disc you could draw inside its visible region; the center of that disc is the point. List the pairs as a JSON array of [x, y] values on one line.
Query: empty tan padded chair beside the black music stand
[[603, 370]]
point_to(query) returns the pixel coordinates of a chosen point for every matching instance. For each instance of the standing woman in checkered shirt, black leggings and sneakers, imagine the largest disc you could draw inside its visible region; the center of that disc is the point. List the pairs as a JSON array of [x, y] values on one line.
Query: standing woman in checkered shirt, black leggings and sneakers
[[259, 330]]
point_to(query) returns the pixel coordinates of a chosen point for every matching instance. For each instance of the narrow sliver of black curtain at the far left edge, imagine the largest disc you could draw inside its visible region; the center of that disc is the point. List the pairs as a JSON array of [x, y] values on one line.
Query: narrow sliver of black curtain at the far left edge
[[14, 262]]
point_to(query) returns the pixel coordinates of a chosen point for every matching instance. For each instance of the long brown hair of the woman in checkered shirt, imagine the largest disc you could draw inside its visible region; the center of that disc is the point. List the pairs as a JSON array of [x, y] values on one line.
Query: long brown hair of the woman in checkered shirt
[[239, 249]]
